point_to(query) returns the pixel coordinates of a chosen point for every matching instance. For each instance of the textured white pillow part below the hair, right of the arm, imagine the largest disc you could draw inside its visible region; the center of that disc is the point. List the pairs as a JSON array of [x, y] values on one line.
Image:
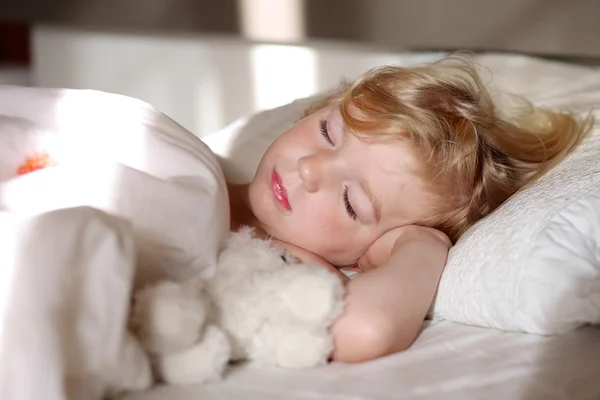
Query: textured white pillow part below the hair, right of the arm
[[534, 264]]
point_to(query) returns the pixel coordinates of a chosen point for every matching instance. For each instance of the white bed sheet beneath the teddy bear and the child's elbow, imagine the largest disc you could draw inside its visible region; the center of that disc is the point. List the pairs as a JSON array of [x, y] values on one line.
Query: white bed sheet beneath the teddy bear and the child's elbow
[[449, 361]]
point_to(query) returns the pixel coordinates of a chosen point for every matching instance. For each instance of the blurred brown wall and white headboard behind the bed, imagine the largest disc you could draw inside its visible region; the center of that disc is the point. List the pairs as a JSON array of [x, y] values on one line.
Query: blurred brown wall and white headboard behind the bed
[[207, 62]]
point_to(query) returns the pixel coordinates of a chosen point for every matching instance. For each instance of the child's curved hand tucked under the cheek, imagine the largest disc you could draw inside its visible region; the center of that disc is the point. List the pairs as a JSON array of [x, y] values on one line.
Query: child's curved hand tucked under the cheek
[[382, 248]]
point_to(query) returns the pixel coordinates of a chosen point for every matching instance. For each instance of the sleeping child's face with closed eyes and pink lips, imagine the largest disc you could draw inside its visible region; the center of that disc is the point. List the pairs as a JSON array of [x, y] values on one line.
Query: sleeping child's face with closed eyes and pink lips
[[335, 198]]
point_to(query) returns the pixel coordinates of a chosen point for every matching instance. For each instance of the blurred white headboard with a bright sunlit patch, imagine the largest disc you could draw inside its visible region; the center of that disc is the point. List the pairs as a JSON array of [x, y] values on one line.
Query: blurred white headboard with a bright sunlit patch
[[202, 82]]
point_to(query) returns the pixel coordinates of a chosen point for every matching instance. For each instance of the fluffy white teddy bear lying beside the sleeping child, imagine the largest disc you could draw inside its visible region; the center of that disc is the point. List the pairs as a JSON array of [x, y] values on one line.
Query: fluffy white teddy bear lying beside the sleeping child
[[261, 306]]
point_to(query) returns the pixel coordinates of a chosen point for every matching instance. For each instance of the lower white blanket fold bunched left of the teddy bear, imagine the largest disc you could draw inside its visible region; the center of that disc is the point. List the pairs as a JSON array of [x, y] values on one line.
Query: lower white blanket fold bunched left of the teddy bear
[[66, 281]]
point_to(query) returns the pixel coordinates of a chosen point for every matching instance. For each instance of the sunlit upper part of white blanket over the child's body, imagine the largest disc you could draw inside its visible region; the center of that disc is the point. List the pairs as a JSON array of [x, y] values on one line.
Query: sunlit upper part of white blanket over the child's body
[[122, 156]]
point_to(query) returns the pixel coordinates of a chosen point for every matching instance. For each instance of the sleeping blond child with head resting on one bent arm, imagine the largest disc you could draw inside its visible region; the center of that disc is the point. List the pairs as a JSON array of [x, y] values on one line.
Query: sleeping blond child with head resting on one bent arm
[[384, 176]]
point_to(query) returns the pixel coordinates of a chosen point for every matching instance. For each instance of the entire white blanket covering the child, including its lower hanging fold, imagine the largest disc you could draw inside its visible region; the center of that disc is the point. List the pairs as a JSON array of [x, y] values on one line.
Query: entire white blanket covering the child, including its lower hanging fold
[[134, 197]]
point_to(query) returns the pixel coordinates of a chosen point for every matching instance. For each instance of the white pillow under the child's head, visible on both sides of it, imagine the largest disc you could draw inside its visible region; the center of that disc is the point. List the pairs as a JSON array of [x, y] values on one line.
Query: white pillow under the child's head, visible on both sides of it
[[534, 264]]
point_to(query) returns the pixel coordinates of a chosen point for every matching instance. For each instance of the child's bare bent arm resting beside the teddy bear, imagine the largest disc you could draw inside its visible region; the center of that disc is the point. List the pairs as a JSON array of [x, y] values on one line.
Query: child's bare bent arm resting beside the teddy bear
[[386, 305]]
